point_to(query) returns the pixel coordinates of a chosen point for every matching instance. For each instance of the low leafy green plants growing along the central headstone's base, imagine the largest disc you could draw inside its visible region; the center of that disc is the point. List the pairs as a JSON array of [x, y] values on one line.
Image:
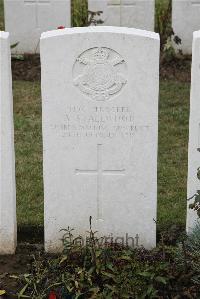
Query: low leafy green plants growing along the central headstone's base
[[110, 271]]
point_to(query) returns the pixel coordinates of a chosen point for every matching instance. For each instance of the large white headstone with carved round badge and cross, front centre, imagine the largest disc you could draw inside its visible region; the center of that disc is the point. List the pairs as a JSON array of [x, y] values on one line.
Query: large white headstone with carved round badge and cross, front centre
[[100, 114]]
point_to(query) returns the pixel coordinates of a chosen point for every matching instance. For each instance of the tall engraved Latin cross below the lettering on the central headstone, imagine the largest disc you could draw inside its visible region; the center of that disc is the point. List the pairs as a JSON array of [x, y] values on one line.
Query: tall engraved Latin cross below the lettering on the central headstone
[[99, 172]]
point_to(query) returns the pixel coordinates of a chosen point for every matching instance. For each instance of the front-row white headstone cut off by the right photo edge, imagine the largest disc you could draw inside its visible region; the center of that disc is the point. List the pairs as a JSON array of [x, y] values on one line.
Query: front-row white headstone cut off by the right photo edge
[[194, 131]]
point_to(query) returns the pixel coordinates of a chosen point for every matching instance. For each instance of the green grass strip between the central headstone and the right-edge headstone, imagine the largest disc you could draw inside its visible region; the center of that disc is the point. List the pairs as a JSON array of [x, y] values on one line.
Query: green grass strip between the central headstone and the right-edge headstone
[[172, 157]]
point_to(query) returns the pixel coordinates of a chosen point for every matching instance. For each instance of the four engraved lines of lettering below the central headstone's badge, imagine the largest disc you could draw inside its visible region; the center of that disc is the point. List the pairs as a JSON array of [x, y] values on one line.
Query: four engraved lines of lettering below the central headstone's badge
[[98, 122]]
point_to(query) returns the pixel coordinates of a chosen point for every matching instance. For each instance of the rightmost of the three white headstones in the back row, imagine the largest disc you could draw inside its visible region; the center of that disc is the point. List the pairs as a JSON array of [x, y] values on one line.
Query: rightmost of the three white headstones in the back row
[[185, 20]]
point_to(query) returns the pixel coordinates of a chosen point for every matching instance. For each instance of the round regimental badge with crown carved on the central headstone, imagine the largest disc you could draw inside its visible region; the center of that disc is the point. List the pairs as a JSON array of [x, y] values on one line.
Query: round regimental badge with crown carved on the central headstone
[[100, 73]]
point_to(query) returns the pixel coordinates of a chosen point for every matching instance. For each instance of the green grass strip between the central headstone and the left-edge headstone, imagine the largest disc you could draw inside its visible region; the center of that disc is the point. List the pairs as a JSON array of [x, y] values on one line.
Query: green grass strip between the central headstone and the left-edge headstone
[[28, 146]]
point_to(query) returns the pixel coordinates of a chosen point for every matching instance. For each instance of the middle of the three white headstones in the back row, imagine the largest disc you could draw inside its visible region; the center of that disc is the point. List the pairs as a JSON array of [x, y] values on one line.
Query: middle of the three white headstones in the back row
[[128, 13]]
